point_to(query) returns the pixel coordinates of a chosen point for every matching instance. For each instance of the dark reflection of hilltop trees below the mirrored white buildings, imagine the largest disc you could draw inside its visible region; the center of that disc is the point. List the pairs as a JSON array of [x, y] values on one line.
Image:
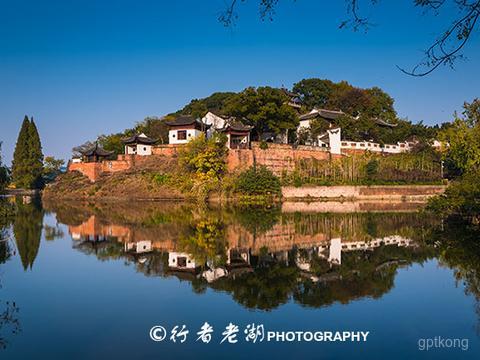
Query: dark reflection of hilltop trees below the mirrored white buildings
[[364, 273]]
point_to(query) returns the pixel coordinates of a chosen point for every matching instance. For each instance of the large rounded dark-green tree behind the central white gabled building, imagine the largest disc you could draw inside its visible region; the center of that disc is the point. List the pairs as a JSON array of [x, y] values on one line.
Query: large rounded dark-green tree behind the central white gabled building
[[265, 108]]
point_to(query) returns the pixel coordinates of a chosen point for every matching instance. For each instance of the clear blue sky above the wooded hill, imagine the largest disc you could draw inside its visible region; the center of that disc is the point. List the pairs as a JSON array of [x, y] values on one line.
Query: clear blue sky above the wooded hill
[[83, 68]]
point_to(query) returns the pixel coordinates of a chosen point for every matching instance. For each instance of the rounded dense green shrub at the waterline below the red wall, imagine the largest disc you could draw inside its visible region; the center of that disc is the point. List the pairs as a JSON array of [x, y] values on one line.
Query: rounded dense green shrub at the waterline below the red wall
[[258, 181]]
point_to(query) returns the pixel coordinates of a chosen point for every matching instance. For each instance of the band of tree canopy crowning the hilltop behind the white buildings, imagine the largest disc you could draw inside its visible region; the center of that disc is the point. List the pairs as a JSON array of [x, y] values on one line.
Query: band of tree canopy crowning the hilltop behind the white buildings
[[268, 110]]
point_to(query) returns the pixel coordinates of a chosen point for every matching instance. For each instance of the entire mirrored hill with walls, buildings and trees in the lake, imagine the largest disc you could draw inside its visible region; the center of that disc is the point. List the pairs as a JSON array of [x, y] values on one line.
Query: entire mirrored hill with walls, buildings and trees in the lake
[[262, 257]]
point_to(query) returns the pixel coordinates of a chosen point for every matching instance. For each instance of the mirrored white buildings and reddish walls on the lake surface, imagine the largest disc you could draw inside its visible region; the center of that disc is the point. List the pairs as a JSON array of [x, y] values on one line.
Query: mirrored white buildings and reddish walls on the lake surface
[[283, 243]]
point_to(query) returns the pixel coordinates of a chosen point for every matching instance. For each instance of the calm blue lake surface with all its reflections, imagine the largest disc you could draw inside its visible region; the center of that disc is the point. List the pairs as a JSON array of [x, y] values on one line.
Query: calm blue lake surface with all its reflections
[[88, 281]]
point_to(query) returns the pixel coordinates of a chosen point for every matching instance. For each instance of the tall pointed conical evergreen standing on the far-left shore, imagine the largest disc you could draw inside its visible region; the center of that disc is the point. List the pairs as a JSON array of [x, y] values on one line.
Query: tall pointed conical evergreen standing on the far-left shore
[[27, 167]]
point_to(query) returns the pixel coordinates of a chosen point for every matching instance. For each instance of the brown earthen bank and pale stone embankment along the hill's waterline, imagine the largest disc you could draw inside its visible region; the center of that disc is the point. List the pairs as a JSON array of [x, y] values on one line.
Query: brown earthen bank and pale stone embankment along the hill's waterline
[[143, 186]]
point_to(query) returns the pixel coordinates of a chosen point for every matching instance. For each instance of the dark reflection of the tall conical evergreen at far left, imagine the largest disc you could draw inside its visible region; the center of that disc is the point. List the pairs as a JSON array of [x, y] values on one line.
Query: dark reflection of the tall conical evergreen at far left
[[27, 229]]
